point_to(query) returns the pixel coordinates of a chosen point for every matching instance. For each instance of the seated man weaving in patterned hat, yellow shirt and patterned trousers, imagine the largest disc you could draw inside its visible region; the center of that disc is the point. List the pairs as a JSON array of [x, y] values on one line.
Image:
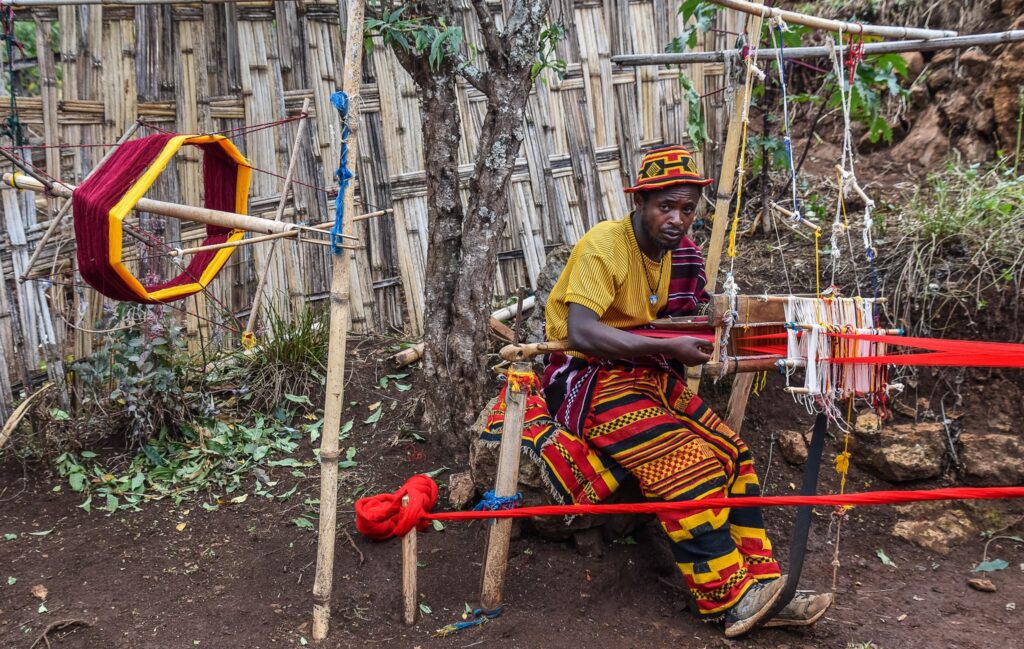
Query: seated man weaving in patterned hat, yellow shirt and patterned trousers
[[626, 395]]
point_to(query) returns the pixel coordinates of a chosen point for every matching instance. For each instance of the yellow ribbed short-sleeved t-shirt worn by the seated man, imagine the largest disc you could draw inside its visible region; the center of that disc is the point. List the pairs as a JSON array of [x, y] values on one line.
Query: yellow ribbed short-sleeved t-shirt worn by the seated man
[[609, 275]]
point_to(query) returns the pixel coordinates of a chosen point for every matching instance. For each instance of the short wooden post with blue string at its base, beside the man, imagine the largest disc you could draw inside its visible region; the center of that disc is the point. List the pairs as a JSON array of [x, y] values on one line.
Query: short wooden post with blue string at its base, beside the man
[[496, 558]]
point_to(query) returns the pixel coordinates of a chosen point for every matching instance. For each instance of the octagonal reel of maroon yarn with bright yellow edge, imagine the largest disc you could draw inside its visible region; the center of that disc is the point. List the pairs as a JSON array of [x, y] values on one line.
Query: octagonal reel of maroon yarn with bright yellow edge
[[103, 202]]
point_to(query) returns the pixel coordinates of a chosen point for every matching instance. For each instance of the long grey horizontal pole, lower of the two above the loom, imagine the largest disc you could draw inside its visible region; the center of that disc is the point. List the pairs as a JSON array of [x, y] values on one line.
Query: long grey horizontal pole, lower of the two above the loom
[[957, 42]]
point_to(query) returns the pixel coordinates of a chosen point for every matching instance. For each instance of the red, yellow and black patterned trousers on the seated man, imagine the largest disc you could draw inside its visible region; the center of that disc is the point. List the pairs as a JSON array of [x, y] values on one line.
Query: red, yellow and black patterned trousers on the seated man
[[679, 450]]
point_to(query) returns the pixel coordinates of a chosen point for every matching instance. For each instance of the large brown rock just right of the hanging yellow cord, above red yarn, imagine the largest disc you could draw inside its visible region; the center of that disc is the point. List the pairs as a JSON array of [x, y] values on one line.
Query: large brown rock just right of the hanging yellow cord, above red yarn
[[899, 454]]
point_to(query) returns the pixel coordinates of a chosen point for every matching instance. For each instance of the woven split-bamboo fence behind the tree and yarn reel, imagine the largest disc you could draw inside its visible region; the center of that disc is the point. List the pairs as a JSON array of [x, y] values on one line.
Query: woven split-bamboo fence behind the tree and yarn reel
[[215, 67]]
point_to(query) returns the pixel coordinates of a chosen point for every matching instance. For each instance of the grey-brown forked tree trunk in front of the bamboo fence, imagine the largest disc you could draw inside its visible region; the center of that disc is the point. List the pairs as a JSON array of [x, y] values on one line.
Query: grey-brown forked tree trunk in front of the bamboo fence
[[463, 248]]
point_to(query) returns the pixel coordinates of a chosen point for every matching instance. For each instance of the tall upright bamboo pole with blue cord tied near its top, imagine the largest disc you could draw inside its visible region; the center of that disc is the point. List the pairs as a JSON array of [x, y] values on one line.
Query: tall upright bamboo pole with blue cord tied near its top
[[340, 290]]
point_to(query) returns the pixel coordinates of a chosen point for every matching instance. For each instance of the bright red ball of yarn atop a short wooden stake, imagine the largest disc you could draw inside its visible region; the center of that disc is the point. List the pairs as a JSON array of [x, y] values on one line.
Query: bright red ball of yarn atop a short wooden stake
[[381, 517]]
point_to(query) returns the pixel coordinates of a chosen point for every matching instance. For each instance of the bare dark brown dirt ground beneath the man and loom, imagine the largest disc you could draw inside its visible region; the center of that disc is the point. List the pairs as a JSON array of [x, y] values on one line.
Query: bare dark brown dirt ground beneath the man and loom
[[242, 577]]
